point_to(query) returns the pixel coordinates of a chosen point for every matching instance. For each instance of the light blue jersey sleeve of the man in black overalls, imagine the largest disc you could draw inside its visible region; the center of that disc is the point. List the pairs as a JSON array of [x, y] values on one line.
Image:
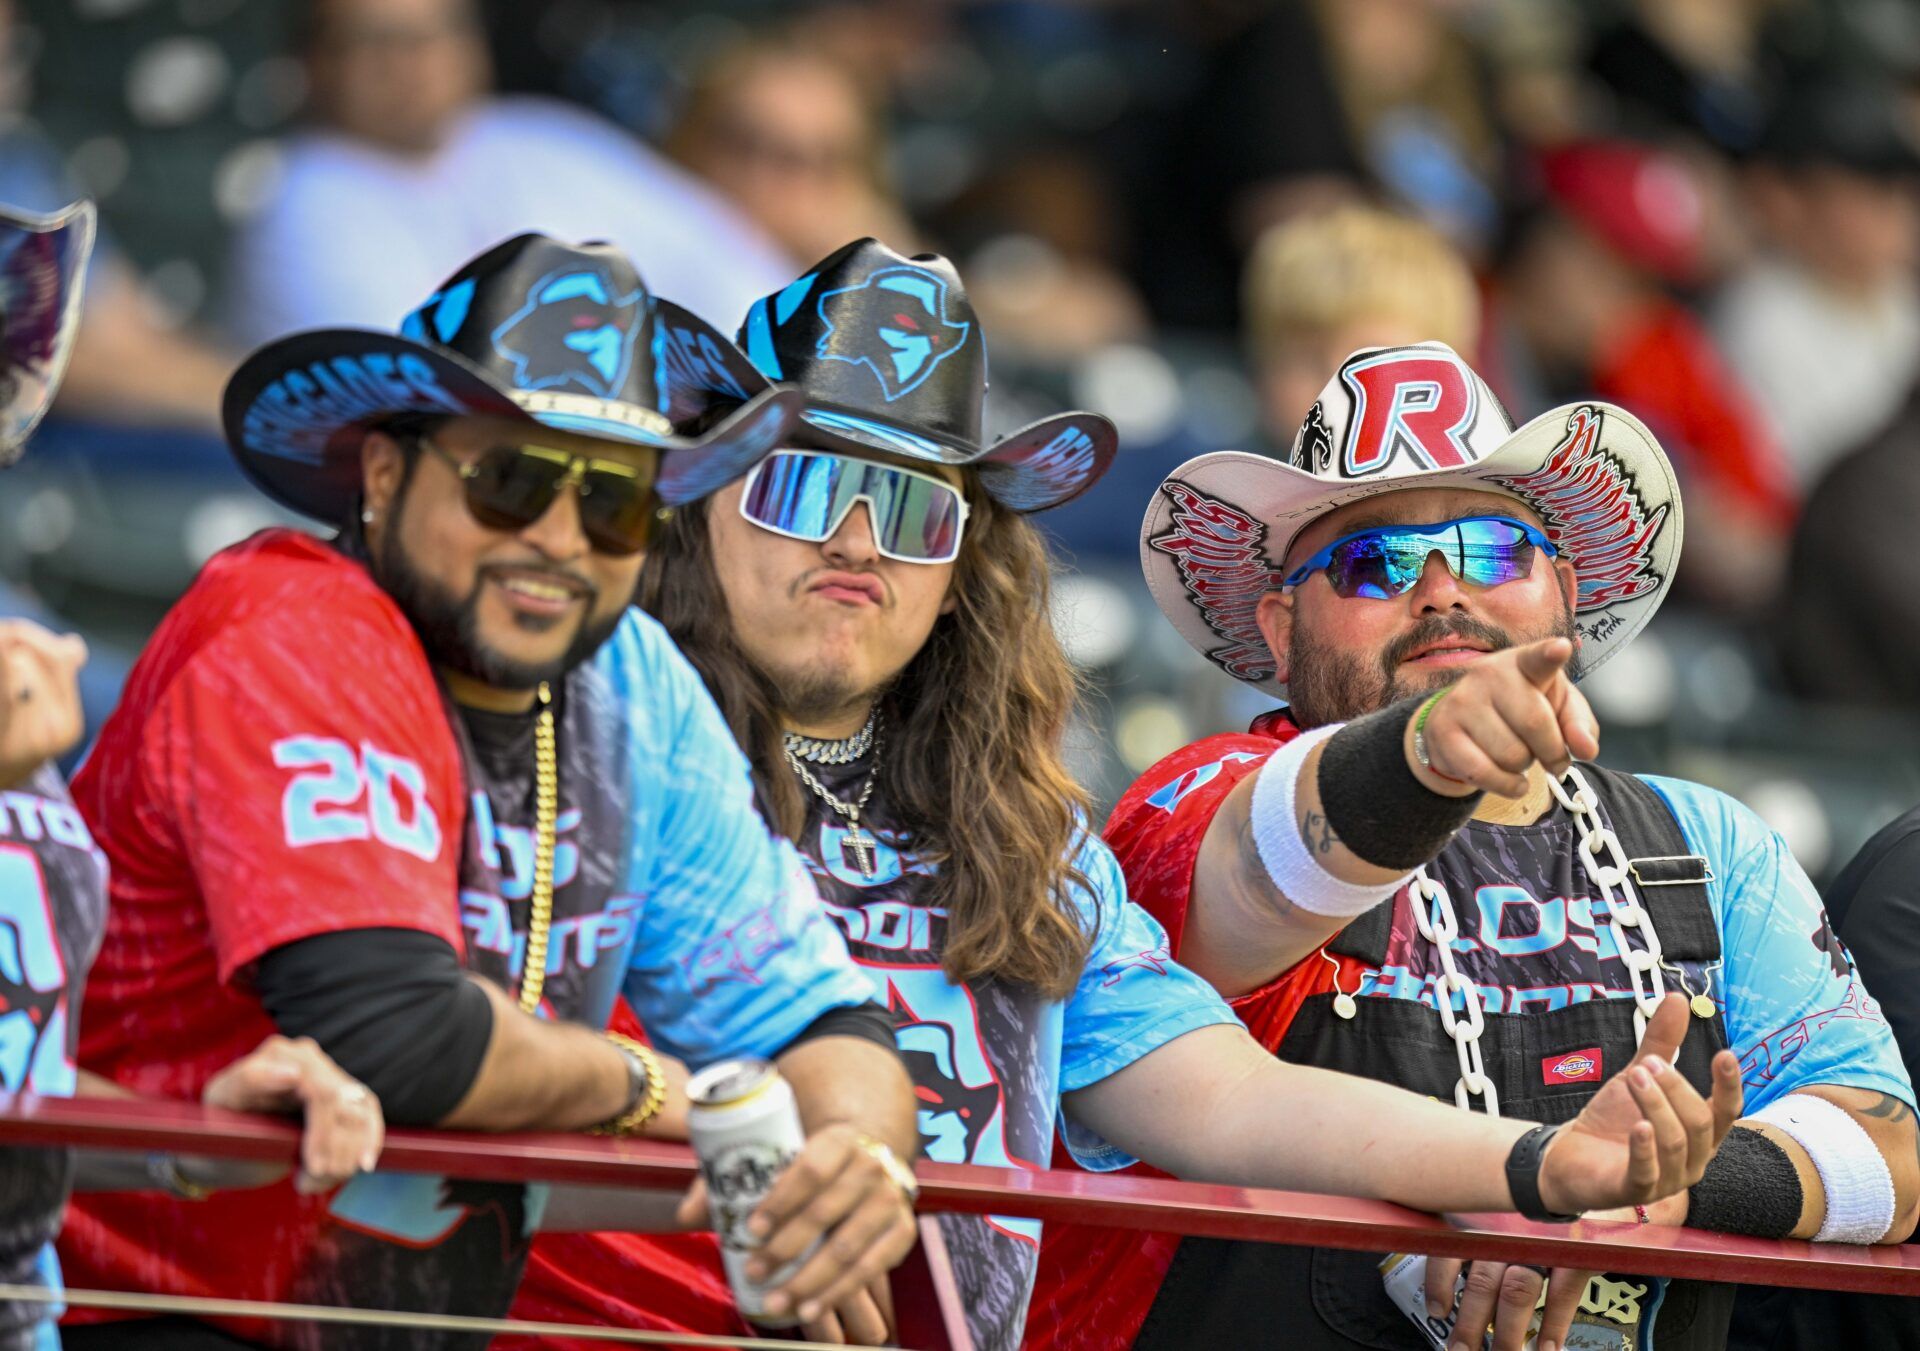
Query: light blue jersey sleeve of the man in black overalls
[[1798, 1012]]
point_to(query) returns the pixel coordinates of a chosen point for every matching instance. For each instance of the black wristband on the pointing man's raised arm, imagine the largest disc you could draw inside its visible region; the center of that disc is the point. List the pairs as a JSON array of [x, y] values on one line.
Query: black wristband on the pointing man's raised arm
[[1372, 799]]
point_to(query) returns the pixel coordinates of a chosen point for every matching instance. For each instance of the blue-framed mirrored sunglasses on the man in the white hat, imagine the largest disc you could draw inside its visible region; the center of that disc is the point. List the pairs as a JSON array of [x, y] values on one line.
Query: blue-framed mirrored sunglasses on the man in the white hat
[[1387, 561]]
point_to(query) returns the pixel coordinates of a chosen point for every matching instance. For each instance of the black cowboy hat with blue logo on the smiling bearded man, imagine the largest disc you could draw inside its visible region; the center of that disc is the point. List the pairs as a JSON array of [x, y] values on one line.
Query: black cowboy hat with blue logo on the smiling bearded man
[[552, 333]]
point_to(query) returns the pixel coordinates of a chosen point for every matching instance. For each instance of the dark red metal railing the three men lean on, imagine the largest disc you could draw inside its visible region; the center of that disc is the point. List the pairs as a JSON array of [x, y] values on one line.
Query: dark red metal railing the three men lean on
[[928, 1304]]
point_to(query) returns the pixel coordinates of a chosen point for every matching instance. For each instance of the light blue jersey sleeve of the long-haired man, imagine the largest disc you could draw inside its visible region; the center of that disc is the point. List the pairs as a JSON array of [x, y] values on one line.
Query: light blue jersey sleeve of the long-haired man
[[1132, 997]]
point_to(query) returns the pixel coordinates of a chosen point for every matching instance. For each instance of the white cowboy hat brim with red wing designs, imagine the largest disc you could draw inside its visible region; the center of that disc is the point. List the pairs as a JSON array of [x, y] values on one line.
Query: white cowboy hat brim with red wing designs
[[1222, 525]]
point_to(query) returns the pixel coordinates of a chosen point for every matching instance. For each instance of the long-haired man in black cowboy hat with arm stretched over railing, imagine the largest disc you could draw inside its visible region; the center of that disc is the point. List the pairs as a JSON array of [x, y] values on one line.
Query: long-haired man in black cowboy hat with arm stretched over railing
[[869, 607]]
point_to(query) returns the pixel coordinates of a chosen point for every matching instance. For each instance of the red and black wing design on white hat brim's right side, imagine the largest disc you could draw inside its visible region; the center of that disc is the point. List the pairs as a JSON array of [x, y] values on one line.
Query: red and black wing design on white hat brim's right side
[[1596, 515]]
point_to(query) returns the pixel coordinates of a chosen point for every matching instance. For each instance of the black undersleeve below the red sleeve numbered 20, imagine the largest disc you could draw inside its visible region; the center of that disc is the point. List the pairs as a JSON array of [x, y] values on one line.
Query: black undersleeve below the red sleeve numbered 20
[[393, 1007]]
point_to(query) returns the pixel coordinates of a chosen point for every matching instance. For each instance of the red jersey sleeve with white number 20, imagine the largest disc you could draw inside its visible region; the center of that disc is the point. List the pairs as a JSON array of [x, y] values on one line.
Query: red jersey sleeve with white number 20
[[312, 780]]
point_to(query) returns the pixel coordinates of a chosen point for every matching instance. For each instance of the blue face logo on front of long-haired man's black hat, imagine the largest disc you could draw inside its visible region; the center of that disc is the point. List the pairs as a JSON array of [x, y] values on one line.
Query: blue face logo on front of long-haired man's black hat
[[896, 325]]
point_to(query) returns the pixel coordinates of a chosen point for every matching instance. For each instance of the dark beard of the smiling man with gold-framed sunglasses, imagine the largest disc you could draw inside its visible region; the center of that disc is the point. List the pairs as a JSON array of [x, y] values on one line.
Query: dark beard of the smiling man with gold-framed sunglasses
[[450, 625]]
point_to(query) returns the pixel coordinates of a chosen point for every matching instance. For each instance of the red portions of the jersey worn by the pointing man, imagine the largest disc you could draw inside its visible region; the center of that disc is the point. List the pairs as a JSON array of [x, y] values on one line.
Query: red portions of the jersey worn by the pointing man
[[1097, 1285]]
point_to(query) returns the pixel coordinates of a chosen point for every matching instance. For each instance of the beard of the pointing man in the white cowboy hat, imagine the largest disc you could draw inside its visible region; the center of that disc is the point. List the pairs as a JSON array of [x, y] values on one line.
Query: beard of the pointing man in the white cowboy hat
[[1330, 686]]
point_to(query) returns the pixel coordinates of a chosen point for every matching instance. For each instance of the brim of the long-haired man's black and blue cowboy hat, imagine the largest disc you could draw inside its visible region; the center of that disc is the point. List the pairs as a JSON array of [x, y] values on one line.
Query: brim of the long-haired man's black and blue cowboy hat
[[1044, 465]]
